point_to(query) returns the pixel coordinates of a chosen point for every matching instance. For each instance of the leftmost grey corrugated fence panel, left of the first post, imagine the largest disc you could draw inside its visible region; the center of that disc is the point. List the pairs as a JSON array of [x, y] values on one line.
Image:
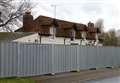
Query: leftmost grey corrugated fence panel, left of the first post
[[8, 59]]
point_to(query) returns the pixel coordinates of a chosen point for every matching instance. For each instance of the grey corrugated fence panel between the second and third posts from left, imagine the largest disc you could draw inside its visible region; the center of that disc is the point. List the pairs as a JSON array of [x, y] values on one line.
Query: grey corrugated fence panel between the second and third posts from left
[[65, 58]]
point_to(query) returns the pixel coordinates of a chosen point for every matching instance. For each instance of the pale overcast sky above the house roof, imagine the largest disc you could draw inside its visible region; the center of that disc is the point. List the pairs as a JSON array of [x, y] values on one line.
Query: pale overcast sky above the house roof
[[81, 11]]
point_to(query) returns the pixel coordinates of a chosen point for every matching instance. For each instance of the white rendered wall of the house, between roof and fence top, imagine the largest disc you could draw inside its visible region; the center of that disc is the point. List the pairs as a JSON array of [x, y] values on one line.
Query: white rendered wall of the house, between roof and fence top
[[50, 40]]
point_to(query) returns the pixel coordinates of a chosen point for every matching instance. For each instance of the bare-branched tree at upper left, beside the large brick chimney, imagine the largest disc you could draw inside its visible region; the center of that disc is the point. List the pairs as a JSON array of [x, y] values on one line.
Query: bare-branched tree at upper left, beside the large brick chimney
[[11, 13]]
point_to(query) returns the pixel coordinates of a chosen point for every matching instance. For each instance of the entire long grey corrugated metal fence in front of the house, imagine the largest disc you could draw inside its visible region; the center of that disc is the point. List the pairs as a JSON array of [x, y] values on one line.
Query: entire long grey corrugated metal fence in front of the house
[[17, 59]]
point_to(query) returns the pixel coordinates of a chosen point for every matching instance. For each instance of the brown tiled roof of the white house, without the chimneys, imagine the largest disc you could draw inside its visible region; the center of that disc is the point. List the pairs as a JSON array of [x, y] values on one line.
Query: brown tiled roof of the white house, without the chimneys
[[43, 23]]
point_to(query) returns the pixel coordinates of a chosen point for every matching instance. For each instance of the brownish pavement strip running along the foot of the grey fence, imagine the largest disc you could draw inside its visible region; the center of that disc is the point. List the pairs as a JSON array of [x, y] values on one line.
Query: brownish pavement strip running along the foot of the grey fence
[[84, 76]]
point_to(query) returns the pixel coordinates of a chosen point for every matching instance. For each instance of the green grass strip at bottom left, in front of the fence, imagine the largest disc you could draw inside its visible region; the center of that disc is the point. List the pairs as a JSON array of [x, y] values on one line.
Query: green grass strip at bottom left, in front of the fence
[[16, 80]]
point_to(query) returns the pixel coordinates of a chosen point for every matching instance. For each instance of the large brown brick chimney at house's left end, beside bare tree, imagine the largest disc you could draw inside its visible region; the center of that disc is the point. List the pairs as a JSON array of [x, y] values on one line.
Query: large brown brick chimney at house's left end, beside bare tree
[[28, 24]]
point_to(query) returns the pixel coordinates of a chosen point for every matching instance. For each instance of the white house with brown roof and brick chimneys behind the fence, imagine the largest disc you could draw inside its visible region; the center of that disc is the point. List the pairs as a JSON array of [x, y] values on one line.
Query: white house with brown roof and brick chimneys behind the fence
[[48, 30]]
